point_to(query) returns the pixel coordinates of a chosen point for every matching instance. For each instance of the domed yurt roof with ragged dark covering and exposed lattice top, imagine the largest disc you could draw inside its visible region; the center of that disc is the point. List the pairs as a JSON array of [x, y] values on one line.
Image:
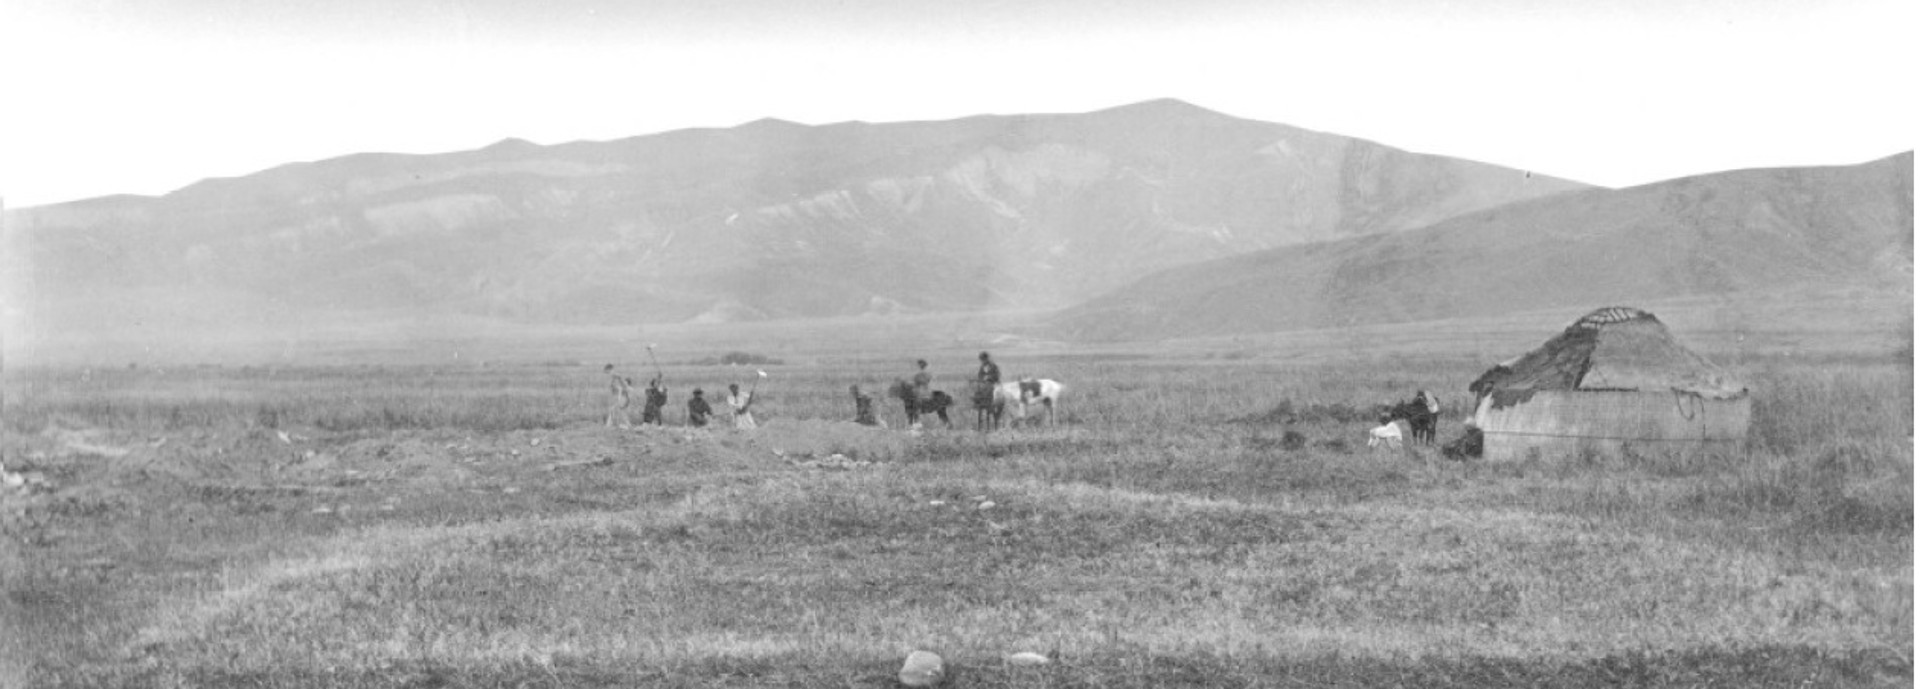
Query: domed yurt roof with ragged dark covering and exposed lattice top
[[1614, 348]]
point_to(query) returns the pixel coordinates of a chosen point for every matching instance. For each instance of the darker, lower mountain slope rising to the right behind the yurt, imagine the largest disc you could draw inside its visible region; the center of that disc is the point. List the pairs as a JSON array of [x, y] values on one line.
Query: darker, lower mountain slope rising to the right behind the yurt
[[1712, 235]]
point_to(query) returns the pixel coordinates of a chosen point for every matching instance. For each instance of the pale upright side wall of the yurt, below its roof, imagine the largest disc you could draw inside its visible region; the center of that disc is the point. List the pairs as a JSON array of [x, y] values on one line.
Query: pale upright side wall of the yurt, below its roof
[[1608, 423]]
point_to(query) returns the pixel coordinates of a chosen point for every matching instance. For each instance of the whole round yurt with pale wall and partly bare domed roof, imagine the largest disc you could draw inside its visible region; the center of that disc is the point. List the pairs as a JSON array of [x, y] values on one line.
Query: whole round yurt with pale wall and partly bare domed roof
[[1612, 383]]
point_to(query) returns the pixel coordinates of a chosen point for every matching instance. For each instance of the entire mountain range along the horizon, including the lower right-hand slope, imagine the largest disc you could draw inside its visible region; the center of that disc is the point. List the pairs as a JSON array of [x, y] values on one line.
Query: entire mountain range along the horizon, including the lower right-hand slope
[[1145, 222]]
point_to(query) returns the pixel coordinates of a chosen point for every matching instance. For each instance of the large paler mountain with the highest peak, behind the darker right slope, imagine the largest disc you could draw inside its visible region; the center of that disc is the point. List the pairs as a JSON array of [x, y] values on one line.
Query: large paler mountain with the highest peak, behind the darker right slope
[[757, 222]]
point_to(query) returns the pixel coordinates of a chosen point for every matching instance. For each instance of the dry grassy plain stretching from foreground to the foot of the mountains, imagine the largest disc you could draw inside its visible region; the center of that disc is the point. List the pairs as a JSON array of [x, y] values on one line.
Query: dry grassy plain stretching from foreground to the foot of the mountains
[[477, 527]]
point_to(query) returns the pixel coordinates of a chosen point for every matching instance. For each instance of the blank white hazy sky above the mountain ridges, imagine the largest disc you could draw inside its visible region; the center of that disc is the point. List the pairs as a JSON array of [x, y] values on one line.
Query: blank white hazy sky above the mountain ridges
[[145, 97]]
